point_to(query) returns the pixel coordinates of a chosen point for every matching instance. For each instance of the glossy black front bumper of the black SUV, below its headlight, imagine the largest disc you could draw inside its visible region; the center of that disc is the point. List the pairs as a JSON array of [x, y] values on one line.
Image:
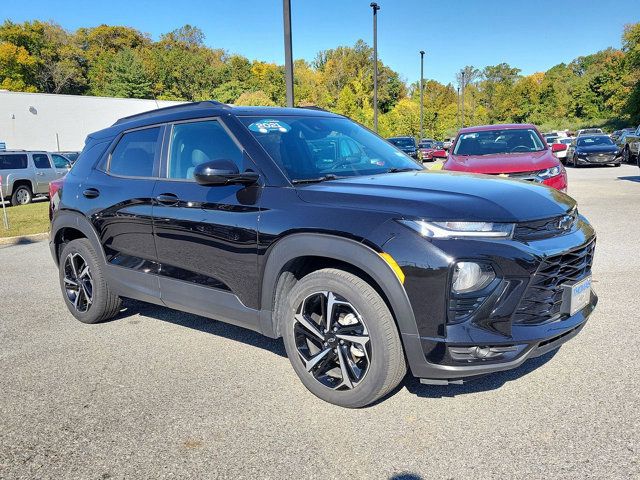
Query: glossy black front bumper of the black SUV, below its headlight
[[443, 350]]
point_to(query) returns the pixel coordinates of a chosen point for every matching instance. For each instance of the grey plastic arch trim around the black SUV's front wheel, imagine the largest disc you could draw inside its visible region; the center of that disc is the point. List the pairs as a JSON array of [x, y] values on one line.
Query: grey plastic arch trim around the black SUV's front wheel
[[302, 253]]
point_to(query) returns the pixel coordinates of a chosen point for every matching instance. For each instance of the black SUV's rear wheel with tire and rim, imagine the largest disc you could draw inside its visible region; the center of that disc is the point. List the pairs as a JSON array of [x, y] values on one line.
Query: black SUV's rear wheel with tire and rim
[[100, 302]]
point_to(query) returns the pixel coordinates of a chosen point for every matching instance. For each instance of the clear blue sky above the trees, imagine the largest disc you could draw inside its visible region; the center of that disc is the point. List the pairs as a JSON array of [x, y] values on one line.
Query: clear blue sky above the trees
[[532, 35]]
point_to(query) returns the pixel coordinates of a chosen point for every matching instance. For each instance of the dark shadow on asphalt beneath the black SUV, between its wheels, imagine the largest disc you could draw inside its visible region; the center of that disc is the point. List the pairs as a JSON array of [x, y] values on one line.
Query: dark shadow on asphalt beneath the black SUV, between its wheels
[[202, 324]]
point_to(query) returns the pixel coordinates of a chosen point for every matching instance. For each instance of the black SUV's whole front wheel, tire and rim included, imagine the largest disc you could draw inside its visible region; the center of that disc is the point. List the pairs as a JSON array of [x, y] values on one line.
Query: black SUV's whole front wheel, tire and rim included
[[341, 339]]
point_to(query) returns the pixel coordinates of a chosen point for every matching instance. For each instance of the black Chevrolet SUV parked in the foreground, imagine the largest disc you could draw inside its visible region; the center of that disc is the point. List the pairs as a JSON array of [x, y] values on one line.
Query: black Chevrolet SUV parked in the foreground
[[302, 224]]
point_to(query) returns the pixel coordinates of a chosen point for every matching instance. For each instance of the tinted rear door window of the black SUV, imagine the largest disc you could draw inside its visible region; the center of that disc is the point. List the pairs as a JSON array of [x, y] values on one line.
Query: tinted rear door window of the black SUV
[[135, 153]]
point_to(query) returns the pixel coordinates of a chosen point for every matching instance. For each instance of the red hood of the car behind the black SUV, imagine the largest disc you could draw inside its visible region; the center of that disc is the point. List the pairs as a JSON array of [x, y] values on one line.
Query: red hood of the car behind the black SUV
[[502, 163]]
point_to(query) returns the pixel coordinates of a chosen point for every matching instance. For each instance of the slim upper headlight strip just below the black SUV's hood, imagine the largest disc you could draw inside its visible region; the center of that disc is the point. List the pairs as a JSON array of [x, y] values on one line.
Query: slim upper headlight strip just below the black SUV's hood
[[460, 229]]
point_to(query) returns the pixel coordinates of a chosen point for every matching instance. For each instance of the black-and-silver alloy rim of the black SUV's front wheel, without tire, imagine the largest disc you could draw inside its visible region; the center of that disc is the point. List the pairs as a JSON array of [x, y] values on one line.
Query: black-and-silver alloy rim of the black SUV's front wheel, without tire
[[332, 340]]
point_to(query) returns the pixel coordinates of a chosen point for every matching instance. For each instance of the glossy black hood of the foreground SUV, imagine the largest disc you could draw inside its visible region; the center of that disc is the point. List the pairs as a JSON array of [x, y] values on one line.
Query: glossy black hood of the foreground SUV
[[437, 195]]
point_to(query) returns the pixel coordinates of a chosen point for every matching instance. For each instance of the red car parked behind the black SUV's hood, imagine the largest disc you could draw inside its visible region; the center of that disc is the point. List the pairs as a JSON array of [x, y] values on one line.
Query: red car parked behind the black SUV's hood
[[517, 151]]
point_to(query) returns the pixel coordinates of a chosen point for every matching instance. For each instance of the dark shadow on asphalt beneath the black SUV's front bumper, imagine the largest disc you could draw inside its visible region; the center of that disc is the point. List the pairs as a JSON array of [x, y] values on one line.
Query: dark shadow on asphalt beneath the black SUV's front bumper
[[483, 383]]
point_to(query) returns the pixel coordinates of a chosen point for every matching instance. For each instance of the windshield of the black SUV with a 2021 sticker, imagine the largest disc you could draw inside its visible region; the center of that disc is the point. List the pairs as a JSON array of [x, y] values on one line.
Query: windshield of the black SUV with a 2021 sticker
[[308, 148]]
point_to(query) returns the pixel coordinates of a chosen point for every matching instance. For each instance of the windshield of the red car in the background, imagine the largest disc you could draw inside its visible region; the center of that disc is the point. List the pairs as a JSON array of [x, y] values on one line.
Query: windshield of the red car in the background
[[499, 141]]
